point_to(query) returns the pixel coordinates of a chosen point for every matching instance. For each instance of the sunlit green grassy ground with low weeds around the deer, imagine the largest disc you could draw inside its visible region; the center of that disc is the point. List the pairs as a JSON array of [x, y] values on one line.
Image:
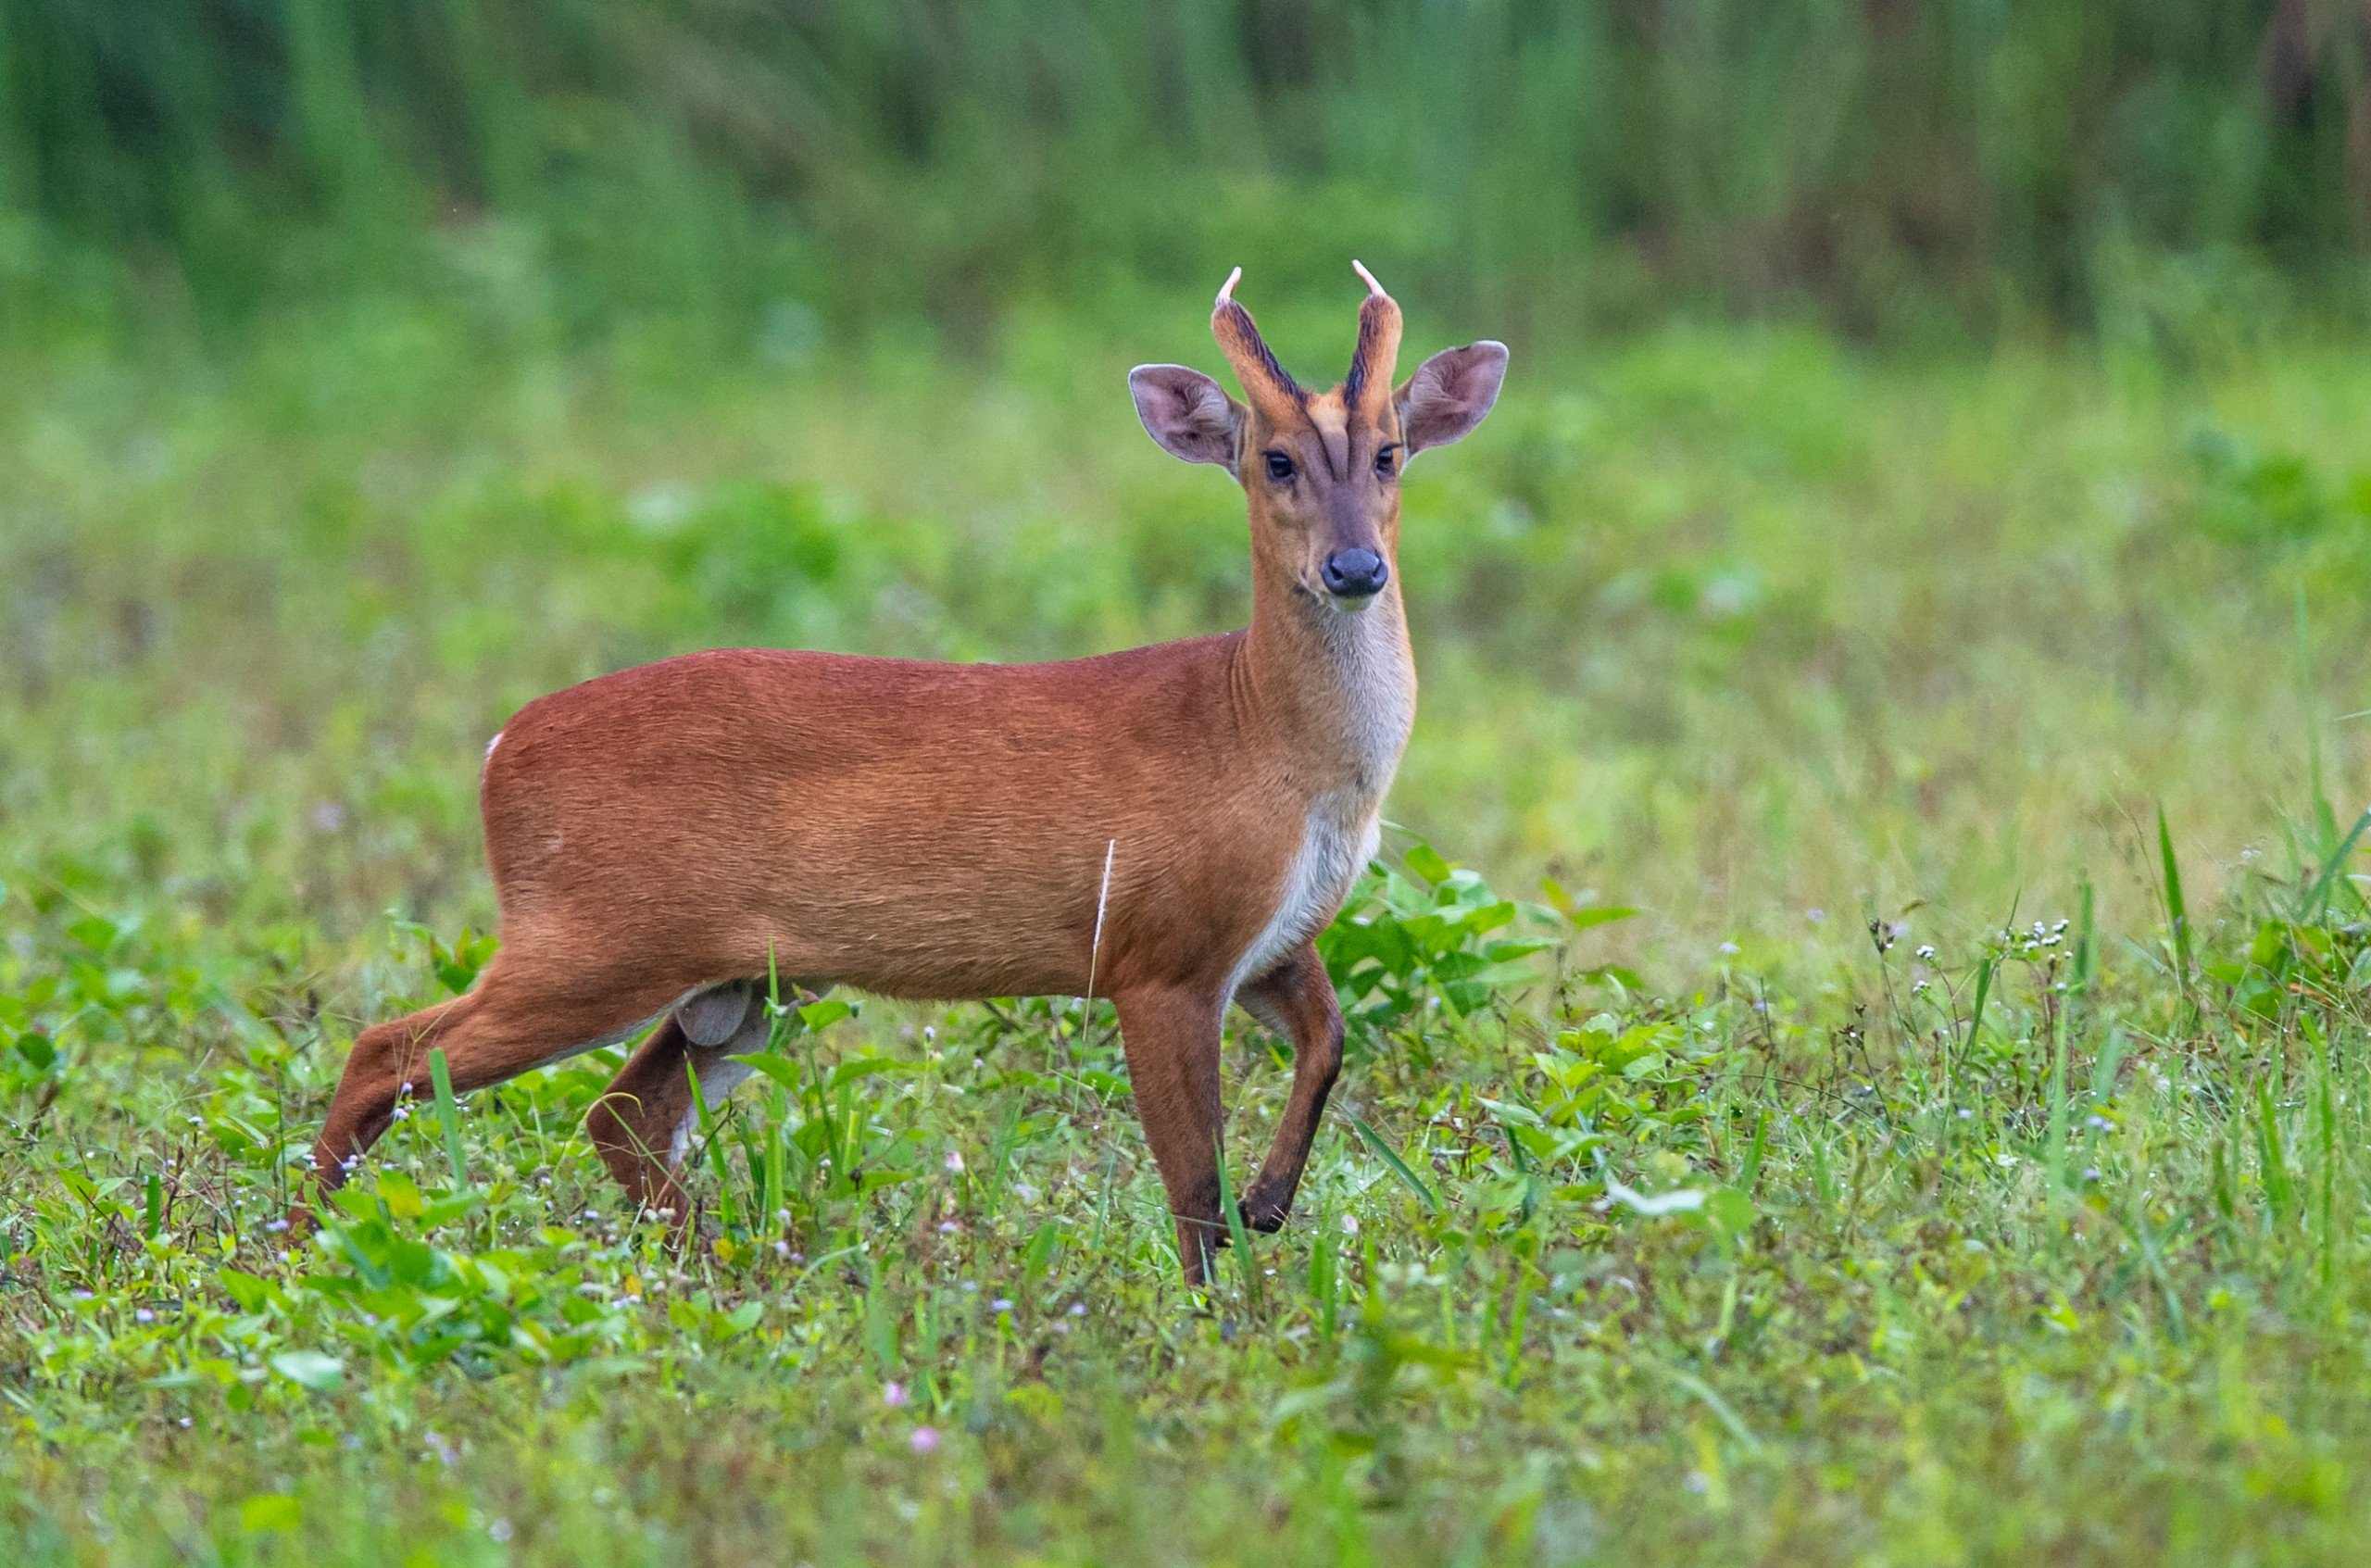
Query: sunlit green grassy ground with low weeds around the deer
[[1893, 1090]]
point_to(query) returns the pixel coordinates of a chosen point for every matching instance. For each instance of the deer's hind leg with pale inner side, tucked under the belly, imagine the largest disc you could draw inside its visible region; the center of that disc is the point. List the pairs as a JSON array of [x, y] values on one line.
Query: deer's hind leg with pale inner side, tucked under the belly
[[646, 1121]]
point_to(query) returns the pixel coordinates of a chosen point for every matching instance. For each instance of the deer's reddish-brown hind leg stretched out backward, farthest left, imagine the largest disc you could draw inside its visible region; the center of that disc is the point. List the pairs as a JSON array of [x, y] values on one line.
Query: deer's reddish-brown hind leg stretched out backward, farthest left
[[513, 1021]]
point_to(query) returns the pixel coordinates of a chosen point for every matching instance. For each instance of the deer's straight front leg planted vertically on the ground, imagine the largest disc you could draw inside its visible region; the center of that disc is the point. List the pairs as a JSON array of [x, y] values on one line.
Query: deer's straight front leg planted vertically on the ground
[[1172, 1043]]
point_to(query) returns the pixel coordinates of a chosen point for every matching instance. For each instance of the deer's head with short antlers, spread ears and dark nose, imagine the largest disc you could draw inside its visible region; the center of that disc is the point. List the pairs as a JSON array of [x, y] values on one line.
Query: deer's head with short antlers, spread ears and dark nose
[[1319, 469]]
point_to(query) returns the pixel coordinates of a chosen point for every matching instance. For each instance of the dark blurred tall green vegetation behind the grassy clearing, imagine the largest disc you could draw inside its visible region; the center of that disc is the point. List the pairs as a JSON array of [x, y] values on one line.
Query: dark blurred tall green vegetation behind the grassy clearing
[[758, 172]]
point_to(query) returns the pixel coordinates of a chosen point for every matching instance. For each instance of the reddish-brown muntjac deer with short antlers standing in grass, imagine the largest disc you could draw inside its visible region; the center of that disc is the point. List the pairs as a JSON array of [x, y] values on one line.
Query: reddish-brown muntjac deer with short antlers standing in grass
[[1168, 827]]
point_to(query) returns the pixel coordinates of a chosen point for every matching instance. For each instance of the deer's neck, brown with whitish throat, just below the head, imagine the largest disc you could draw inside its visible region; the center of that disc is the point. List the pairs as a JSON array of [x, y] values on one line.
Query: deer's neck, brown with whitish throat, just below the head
[[1336, 689]]
